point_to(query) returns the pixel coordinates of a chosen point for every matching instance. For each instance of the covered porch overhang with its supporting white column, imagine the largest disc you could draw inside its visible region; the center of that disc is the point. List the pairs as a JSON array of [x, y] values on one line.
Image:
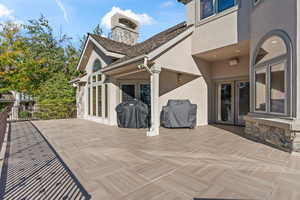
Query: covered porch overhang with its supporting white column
[[145, 71]]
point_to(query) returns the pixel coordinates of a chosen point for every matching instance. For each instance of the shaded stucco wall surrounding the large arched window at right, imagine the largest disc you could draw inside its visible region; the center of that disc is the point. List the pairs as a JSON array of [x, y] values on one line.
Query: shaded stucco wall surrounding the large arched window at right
[[277, 15]]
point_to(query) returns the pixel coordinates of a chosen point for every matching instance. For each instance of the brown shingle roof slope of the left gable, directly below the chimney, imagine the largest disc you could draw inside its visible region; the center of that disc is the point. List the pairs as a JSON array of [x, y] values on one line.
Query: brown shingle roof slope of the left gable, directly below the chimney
[[111, 45]]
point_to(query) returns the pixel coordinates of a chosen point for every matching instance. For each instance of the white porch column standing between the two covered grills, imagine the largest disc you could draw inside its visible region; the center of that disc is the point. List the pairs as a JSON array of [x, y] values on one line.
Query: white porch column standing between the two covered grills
[[155, 114]]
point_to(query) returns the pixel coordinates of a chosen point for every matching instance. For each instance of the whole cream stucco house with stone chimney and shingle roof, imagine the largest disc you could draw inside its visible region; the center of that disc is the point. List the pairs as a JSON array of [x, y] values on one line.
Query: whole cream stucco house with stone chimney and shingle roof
[[237, 60]]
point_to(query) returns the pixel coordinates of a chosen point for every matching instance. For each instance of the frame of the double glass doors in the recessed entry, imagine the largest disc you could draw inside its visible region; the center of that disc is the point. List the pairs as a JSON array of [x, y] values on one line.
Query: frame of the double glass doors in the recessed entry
[[234, 98]]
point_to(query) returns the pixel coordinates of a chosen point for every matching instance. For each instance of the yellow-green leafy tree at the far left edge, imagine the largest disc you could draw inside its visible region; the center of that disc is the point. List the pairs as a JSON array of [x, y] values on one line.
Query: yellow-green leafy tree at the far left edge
[[19, 69]]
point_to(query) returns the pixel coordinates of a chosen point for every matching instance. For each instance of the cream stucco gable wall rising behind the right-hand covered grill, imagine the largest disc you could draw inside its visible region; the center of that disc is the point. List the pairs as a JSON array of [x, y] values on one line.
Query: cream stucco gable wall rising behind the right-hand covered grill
[[193, 82]]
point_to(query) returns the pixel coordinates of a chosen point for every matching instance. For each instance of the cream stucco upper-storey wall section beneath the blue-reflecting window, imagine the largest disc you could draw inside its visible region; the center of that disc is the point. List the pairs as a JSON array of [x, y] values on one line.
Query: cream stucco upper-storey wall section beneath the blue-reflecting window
[[226, 28]]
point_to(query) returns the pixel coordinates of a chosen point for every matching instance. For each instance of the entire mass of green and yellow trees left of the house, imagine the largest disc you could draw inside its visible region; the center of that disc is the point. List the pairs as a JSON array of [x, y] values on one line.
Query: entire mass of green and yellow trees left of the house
[[33, 61]]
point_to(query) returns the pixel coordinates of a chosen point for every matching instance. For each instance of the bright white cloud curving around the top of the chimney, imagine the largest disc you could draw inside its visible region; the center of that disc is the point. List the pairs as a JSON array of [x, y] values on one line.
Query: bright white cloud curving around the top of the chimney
[[143, 19]]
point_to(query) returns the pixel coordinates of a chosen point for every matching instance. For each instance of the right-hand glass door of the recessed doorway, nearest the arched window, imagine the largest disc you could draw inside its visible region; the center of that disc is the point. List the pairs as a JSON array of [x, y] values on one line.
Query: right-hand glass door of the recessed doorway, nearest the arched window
[[242, 101]]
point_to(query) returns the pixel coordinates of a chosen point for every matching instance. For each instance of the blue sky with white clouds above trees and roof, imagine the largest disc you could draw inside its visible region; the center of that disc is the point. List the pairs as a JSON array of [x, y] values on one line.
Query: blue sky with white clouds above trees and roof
[[77, 17]]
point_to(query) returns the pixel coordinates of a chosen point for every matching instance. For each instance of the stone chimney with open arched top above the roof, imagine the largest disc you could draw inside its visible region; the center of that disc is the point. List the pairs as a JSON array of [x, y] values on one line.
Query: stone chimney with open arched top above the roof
[[124, 29]]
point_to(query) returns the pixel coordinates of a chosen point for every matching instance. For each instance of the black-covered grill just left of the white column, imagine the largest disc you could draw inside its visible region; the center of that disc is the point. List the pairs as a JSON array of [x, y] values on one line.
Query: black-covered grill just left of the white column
[[132, 114]]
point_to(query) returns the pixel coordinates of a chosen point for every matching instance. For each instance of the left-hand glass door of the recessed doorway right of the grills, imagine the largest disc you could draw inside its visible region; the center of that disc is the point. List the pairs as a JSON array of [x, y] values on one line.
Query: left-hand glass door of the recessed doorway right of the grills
[[225, 111]]
